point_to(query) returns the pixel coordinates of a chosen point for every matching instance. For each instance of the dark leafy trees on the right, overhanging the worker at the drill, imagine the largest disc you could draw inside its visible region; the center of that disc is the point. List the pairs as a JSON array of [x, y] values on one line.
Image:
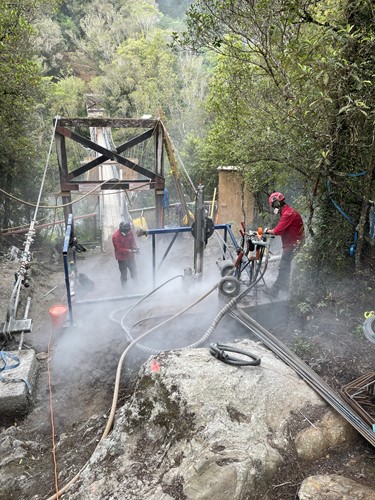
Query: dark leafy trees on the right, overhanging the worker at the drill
[[293, 104]]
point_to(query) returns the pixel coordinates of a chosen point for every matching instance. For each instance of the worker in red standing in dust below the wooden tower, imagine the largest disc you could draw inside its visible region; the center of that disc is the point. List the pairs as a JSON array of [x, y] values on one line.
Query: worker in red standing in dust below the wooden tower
[[125, 247]]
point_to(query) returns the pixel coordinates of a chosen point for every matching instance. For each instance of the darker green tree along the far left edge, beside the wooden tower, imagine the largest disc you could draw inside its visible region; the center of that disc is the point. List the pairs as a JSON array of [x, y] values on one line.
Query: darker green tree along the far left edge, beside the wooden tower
[[21, 90]]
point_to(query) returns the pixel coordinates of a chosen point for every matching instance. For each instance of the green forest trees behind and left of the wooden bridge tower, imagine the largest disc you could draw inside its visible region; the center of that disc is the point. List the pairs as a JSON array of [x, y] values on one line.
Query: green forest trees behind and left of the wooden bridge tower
[[56, 56]]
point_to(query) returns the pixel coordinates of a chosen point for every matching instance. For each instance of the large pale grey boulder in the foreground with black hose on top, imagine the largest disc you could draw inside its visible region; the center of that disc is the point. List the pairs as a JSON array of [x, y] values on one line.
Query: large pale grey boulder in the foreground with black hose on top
[[199, 429]]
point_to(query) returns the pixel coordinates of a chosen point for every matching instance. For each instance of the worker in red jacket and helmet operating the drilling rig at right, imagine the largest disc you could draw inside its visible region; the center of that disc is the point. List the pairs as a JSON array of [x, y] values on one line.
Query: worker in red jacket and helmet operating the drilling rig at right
[[290, 228]]
